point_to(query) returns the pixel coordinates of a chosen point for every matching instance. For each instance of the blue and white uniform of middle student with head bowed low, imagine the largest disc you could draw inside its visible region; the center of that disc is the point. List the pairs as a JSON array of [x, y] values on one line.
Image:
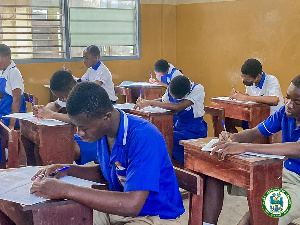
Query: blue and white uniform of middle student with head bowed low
[[189, 123]]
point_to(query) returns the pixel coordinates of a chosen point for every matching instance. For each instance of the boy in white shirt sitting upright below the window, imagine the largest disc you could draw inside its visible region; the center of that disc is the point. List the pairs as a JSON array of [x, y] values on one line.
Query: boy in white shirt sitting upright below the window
[[97, 72]]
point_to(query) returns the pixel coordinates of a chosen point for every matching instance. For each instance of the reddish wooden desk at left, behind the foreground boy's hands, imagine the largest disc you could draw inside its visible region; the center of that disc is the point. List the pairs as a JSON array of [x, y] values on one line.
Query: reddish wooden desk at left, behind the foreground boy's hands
[[55, 143]]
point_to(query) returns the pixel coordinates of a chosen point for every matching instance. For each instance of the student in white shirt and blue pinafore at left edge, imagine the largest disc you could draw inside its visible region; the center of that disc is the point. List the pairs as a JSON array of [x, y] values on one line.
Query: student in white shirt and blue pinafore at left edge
[[11, 90]]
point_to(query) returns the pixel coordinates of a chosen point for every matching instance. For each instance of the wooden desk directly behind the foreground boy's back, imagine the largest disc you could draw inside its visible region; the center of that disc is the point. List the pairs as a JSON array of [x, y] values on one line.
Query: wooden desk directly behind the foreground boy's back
[[164, 123]]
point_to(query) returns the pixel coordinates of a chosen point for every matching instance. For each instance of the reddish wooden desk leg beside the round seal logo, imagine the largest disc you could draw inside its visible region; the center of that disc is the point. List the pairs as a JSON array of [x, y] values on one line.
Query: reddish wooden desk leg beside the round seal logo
[[259, 184]]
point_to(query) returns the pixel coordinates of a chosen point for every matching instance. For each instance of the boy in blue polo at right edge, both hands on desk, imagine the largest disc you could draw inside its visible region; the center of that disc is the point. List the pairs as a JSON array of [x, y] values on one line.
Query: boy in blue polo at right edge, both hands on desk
[[286, 119]]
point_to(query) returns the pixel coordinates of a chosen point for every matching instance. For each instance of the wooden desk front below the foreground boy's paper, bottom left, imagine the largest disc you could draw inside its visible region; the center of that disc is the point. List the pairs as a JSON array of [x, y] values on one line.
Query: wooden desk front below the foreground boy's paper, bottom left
[[50, 212]]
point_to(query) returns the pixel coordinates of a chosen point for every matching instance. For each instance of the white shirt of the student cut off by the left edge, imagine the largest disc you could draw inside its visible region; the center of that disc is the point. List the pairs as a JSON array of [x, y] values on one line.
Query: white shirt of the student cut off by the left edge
[[13, 77]]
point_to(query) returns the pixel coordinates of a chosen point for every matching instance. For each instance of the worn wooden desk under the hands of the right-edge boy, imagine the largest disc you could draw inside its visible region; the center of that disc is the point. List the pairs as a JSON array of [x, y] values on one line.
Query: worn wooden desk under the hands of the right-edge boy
[[256, 174]]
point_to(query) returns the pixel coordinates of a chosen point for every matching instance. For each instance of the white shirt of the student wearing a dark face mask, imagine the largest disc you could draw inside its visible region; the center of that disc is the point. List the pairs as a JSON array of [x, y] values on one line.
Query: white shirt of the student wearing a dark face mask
[[270, 87]]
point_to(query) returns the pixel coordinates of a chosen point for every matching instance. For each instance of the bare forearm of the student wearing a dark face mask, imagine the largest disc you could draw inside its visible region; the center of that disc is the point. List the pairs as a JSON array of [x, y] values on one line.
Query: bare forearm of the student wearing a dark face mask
[[271, 100]]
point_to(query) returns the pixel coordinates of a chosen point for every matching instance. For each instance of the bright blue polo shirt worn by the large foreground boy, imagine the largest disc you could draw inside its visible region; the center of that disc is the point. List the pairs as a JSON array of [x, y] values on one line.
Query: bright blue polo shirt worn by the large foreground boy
[[145, 165]]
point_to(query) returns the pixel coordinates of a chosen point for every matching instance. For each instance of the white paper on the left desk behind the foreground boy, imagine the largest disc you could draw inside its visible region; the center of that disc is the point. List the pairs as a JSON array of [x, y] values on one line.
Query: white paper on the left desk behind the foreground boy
[[30, 117]]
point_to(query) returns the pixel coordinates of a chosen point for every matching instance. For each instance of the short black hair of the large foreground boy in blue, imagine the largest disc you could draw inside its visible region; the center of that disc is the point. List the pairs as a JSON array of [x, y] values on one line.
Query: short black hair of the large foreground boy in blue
[[89, 98]]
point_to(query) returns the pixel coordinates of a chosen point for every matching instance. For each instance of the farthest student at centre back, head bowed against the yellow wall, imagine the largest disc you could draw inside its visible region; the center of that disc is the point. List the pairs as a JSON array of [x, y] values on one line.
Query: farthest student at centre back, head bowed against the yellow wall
[[165, 72]]
